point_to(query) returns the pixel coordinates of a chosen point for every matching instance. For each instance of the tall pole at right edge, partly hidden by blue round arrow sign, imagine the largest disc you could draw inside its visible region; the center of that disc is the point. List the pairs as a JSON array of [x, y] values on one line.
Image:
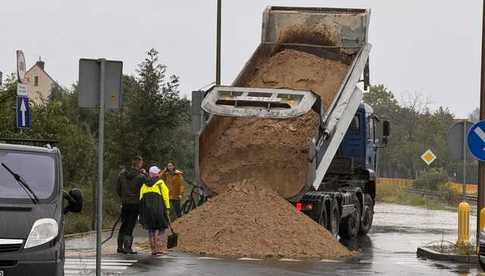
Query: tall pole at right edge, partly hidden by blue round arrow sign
[[481, 164]]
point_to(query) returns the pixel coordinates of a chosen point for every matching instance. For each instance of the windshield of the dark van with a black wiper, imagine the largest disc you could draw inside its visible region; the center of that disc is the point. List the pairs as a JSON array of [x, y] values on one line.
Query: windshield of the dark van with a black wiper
[[38, 171]]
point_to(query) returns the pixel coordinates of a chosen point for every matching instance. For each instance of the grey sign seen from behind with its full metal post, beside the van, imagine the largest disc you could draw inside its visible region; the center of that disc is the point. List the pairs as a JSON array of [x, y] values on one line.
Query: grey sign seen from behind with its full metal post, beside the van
[[98, 80]]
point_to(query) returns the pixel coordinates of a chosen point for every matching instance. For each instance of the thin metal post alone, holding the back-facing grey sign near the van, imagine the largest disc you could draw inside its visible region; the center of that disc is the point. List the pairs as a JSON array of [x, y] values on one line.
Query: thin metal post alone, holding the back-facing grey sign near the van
[[99, 190]]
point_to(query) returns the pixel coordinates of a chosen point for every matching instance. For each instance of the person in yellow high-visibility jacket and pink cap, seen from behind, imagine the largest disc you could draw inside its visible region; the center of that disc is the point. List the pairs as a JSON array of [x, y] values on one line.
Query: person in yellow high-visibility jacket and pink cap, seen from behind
[[154, 207]]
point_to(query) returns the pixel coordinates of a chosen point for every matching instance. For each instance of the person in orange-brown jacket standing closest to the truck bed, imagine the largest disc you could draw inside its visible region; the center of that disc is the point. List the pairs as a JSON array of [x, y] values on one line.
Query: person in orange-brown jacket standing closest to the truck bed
[[176, 185]]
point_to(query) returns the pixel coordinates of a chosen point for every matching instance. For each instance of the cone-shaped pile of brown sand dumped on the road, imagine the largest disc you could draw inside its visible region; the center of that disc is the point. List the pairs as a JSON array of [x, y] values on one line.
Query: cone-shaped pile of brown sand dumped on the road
[[250, 221]]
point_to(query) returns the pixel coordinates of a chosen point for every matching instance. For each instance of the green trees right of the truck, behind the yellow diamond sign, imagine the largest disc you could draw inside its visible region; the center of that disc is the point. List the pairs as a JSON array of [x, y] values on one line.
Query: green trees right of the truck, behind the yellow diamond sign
[[415, 128]]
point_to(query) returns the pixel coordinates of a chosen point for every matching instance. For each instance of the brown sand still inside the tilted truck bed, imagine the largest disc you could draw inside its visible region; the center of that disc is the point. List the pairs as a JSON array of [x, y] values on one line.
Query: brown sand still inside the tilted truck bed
[[271, 153]]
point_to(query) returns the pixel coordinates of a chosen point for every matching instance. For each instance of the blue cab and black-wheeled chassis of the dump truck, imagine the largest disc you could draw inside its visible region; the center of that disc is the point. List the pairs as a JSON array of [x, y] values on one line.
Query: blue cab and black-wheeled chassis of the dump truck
[[344, 203]]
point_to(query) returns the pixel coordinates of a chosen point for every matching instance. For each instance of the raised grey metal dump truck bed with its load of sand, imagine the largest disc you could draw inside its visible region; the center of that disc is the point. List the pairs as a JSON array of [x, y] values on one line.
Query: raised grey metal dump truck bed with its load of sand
[[282, 121]]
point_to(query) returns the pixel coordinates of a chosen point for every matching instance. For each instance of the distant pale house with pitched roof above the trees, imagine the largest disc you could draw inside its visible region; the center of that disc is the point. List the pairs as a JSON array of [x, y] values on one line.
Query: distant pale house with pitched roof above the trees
[[39, 83]]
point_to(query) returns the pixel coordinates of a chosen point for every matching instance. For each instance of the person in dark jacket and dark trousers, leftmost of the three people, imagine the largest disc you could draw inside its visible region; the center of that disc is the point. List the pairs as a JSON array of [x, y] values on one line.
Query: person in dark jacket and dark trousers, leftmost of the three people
[[128, 188]]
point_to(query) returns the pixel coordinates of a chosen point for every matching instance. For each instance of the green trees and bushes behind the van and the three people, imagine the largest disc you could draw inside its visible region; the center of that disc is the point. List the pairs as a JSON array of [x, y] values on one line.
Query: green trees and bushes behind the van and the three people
[[154, 121]]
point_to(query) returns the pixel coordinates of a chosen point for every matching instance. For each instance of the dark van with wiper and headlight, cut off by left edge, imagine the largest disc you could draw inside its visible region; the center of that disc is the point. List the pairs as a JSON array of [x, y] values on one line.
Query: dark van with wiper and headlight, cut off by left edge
[[32, 208]]
